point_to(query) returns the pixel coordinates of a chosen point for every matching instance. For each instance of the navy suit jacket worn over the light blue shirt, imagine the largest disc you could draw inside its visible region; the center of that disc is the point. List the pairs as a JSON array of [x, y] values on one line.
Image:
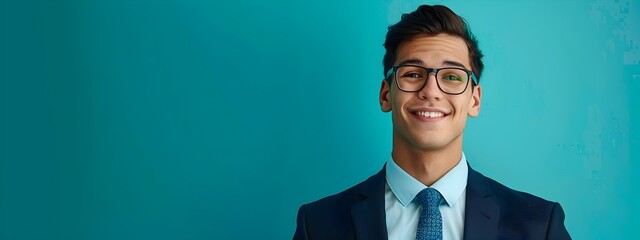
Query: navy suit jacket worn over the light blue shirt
[[492, 211]]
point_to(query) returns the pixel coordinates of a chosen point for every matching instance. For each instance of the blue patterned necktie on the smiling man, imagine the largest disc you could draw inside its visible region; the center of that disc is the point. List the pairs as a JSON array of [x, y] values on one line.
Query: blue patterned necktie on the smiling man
[[430, 224]]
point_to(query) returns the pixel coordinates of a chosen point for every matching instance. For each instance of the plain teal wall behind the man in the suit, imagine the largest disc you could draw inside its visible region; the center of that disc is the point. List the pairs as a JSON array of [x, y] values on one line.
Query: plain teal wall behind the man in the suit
[[217, 120]]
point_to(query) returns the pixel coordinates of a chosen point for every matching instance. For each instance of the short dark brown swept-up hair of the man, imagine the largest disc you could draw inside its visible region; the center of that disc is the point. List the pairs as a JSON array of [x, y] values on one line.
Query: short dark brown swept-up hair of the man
[[431, 20]]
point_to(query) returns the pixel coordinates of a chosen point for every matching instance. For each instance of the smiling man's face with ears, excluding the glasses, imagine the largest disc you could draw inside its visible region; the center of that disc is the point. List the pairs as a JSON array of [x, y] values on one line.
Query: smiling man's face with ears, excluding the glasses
[[429, 119]]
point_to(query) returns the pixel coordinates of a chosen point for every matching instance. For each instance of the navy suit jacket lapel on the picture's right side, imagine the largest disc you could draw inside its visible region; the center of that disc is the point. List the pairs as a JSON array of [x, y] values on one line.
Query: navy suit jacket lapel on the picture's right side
[[482, 212]]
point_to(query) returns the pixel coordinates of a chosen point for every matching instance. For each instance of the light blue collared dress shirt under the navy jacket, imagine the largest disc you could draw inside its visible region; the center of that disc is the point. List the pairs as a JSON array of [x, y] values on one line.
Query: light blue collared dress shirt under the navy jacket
[[403, 213]]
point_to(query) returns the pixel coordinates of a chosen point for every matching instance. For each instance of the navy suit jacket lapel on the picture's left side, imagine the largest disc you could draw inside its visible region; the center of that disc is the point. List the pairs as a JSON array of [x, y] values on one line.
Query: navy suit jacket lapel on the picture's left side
[[368, 211]]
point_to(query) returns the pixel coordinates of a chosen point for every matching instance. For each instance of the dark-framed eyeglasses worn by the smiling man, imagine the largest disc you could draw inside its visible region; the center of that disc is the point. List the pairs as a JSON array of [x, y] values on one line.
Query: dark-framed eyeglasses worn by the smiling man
[[450, 80]]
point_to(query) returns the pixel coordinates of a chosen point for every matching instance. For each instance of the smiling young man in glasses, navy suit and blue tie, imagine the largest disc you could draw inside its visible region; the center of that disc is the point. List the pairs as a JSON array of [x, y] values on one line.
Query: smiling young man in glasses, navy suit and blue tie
[[432, 69]]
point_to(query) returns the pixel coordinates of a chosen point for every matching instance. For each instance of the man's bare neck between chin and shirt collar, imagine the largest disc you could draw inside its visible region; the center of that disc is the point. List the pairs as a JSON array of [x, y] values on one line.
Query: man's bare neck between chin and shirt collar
[[427, 165]]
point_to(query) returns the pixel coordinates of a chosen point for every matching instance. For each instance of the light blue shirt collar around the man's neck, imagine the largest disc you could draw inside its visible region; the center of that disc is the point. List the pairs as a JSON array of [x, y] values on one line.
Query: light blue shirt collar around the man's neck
[[405, 187]]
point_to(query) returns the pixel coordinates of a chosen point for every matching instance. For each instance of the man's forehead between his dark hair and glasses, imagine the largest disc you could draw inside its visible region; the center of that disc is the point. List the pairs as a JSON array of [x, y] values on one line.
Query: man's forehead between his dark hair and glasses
[[434, 51]]
